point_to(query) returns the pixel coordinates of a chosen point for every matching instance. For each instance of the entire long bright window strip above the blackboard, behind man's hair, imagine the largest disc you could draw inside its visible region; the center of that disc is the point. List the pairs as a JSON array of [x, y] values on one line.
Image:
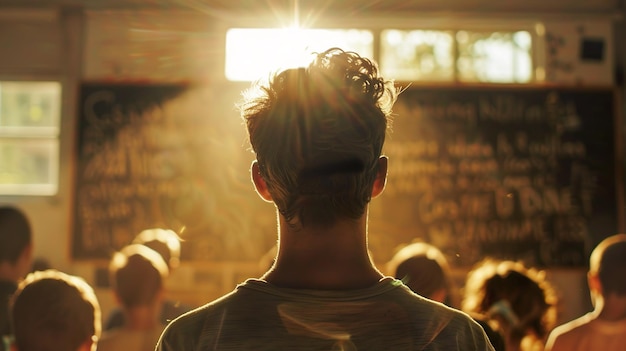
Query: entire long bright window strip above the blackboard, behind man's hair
[[404, 54]]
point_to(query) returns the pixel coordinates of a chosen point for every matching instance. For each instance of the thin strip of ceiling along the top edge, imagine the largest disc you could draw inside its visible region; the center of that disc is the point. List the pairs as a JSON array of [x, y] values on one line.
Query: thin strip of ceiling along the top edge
[[341, 7]]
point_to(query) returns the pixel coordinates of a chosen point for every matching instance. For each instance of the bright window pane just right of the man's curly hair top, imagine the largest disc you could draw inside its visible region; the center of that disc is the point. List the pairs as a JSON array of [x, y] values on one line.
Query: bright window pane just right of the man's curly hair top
[[424, 55]]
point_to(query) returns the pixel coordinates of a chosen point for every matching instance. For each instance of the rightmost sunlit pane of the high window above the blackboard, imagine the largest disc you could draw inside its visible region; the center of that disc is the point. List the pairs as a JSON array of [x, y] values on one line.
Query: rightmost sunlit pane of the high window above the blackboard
[[498, 57]]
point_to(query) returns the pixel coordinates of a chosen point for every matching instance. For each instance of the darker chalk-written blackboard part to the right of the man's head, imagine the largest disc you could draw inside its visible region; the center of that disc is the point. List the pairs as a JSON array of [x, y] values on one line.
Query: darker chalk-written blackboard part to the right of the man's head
[[526, 173]]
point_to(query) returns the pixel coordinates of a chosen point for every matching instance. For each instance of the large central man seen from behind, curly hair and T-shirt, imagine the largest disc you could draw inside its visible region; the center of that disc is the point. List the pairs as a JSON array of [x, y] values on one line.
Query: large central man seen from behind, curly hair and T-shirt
[[317, 133]]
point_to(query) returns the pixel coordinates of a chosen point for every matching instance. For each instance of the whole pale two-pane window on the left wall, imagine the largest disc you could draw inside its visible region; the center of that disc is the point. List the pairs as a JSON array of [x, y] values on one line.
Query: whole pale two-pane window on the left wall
[[29, 137]]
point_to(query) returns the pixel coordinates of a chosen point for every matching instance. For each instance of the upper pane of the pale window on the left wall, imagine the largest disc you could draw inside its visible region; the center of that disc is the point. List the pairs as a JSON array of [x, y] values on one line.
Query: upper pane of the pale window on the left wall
[[30, 107]]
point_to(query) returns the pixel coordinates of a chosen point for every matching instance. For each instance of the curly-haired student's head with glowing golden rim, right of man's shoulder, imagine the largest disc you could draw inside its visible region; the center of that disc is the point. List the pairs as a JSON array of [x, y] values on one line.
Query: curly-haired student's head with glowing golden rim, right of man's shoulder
[[519, 298]]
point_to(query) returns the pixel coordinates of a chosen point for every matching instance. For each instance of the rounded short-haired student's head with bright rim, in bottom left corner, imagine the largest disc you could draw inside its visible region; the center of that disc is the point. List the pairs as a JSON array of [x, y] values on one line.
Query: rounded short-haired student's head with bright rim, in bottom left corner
[[54, 311]]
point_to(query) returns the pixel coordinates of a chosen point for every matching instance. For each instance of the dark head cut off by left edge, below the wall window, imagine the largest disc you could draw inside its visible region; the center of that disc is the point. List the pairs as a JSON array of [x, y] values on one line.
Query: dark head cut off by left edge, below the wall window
[[15, 234]]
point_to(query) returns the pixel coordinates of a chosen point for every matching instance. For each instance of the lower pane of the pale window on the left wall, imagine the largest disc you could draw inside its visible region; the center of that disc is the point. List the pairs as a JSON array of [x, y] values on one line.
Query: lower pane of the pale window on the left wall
[[28, 166]]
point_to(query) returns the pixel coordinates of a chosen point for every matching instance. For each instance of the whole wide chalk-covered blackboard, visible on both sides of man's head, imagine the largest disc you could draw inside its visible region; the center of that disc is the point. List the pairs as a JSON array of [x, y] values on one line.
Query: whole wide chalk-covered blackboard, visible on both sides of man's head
[[528, 173]]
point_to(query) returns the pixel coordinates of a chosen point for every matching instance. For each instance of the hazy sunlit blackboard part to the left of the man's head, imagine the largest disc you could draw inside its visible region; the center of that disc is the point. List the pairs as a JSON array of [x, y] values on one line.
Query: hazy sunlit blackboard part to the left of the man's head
[[170, 156]]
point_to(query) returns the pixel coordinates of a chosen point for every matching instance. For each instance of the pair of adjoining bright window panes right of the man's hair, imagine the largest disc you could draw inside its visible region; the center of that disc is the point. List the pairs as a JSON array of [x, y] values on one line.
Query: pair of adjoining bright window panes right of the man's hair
[[465, 56]]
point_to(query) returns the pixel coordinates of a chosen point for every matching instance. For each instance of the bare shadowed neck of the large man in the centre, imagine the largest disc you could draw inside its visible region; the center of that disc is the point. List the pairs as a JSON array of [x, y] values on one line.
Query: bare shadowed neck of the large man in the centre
[[331, 259]]
